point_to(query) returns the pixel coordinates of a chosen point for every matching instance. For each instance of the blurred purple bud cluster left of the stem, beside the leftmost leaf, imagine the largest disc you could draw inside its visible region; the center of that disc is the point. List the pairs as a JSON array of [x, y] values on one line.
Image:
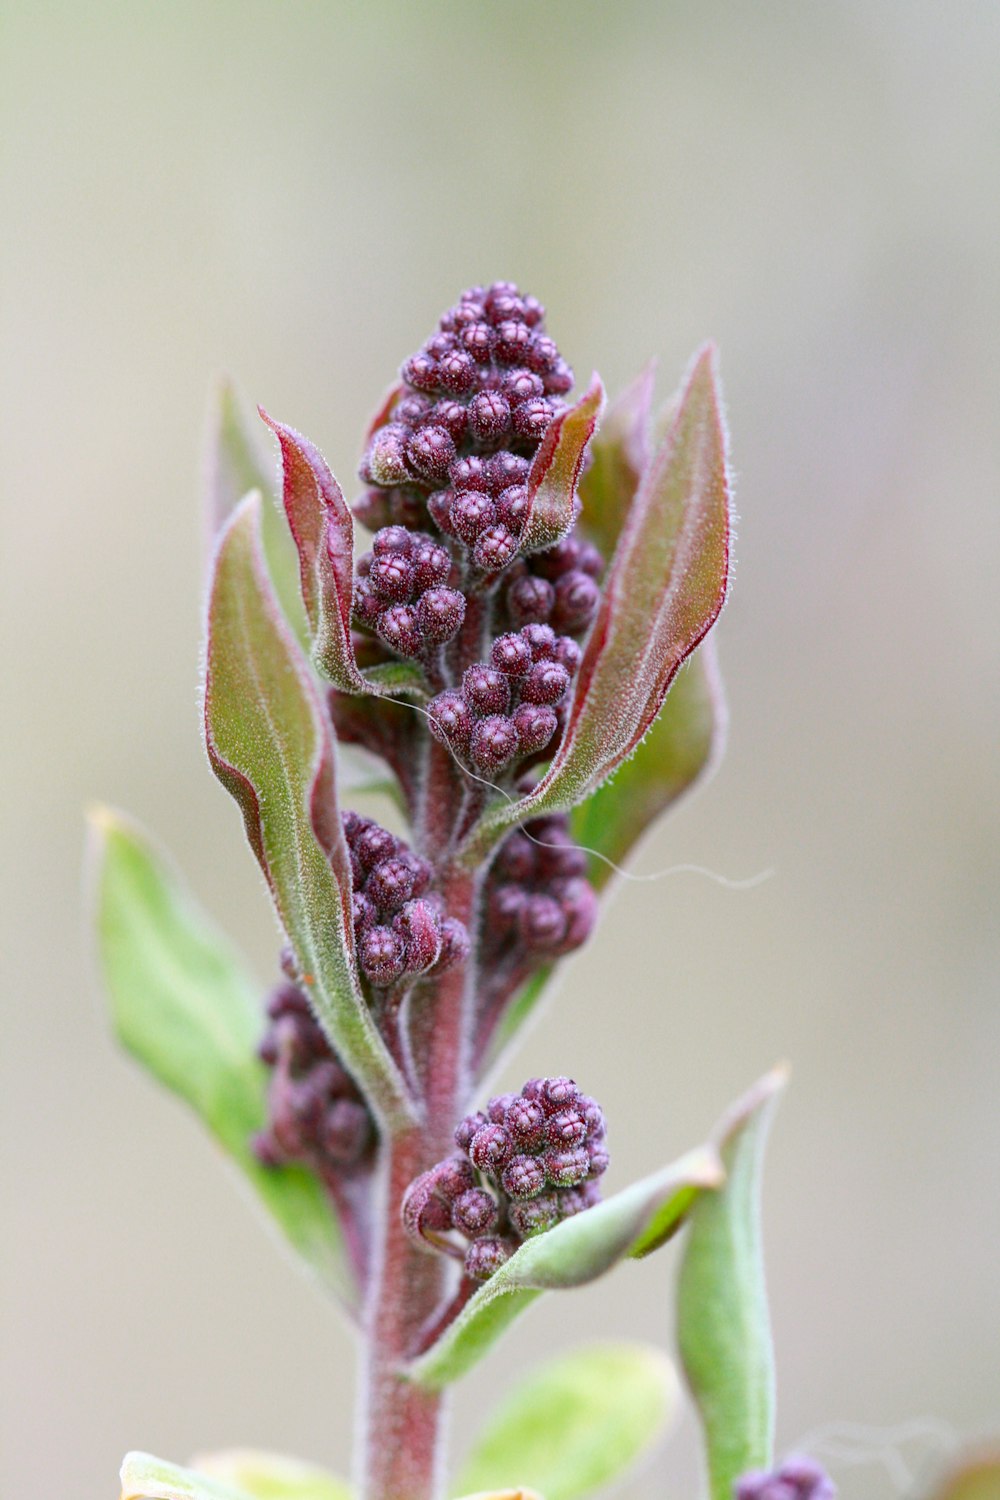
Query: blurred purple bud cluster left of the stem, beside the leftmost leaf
[[316, 1112]]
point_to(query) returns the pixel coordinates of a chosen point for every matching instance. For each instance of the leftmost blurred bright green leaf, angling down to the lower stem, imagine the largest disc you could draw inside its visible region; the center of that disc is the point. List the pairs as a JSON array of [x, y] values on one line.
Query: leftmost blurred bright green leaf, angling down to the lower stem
[[185, 1007]]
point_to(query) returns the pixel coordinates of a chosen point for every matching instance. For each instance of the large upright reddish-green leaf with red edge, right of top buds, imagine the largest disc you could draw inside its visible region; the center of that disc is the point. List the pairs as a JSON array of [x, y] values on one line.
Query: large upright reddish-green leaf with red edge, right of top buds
[[663, 592]]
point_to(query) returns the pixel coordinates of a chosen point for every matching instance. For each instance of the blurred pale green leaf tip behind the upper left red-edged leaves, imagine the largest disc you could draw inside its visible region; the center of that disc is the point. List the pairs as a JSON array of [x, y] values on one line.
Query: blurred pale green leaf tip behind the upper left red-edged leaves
[[235, 469]]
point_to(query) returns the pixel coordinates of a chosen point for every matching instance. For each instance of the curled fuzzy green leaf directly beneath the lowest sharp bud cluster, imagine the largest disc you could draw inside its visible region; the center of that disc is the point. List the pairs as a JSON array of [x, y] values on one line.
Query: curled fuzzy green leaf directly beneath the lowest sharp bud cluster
[[579, 1250]]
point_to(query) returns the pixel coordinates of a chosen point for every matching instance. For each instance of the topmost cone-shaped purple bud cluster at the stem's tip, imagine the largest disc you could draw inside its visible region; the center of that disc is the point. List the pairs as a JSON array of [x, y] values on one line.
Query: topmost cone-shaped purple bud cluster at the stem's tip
[[458, 440]]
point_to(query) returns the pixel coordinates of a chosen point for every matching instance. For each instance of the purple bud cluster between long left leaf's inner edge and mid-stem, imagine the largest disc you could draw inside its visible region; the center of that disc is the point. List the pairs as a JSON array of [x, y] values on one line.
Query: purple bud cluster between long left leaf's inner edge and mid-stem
[[400, 925]]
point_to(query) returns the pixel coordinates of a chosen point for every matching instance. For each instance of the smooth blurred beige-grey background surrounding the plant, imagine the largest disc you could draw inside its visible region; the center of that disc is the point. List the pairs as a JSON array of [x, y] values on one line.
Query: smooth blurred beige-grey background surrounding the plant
[[293, 193]]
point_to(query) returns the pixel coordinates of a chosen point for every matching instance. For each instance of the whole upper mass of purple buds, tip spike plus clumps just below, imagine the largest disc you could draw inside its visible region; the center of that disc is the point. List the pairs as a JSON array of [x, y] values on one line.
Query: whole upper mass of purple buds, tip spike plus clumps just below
[[449, 497]]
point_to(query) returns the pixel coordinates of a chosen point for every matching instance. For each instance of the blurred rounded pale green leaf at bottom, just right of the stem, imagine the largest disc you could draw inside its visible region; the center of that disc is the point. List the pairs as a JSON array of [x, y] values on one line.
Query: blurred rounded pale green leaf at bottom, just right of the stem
[[578, 1423]]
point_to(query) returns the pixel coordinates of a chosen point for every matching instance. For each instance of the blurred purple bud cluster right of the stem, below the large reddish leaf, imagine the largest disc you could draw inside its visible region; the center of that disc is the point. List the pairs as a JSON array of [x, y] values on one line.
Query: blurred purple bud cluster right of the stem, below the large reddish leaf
[[539, 902]]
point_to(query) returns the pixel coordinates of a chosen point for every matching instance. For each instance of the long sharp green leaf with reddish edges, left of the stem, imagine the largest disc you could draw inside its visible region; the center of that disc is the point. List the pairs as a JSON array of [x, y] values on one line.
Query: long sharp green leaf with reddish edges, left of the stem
[[269, 743]]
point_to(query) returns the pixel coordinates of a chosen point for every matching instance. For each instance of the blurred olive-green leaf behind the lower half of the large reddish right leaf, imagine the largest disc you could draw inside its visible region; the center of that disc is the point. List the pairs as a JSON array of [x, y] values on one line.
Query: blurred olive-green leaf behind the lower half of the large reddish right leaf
[[683, 746]]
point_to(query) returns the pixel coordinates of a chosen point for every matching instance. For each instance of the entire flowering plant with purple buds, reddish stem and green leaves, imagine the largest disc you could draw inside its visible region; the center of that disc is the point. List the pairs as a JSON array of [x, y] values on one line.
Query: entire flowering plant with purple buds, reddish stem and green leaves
[[519, 662]]
